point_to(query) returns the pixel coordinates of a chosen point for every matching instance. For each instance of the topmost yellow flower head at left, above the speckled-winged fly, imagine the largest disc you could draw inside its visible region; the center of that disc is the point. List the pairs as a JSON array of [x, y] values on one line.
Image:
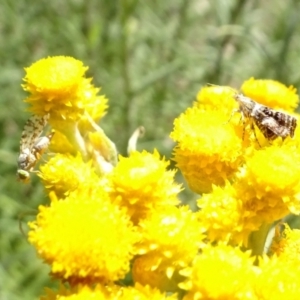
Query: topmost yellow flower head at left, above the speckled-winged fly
[[57, 86]]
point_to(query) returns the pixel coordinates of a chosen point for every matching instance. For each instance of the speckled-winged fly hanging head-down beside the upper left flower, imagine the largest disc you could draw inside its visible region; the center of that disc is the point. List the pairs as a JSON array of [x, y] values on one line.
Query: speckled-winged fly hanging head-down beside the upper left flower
[[32, 146]]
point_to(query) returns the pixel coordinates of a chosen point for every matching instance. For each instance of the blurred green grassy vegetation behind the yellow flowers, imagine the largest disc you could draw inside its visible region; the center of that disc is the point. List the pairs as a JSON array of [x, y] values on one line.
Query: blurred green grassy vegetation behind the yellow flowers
[[150, 58]]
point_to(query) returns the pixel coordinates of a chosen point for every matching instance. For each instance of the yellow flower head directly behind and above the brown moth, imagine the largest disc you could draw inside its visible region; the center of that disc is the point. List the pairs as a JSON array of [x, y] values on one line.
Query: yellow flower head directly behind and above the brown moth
[[271, 93]]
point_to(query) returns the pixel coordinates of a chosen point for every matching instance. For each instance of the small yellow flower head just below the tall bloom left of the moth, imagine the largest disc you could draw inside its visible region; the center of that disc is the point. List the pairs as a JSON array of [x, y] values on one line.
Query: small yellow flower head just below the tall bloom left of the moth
[[221, 215]]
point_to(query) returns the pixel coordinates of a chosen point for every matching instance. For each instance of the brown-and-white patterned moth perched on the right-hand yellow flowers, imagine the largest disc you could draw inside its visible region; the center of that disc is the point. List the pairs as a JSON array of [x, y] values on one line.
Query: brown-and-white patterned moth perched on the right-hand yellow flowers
[[271, 123]]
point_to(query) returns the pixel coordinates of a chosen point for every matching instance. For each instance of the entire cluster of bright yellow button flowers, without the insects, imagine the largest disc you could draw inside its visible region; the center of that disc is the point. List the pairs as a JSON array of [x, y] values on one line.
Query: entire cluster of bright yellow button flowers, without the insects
[[109, 221]]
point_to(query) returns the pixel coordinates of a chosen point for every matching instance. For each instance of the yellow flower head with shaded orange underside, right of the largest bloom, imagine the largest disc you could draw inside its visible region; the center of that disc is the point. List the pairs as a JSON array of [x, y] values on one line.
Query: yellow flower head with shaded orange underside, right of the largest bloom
[[170, 240]]
